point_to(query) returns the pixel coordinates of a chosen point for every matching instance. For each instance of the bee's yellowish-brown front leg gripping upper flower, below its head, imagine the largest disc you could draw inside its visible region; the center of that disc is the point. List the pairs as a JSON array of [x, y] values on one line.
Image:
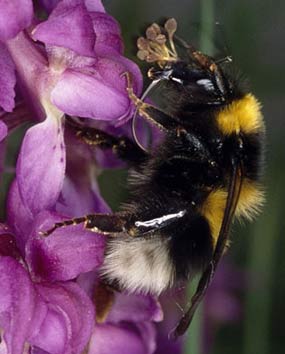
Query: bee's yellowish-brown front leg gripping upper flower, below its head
[[155, 115]]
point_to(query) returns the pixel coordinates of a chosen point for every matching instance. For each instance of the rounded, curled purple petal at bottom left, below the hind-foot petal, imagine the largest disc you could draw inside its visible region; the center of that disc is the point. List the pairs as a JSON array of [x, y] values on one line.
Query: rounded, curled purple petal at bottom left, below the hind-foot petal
[[68, 321]]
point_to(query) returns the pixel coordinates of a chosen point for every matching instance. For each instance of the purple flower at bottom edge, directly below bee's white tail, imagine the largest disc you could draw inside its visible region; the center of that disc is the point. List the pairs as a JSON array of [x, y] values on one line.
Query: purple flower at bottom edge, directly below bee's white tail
[[128, 327]]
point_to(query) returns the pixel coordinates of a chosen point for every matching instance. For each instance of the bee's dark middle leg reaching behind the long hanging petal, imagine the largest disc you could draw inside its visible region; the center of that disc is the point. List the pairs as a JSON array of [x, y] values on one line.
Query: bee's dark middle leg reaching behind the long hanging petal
[[123, 147]]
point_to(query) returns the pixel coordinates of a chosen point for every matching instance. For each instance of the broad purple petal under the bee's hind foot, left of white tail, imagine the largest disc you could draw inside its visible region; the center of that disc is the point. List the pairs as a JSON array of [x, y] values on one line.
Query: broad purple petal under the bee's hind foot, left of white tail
[[65, 253]]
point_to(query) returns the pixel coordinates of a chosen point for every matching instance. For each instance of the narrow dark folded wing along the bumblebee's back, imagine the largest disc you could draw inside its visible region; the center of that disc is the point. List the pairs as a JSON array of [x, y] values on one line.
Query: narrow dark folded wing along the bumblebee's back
[[234, 189]]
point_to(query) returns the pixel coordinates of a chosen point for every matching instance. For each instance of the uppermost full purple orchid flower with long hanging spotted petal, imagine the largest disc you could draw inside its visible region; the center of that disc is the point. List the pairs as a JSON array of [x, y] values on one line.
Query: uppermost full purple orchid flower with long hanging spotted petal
[[78, 72]]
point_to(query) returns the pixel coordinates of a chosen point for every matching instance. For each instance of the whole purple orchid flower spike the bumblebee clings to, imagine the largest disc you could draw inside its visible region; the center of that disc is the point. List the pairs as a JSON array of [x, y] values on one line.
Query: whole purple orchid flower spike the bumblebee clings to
[[72, 63]]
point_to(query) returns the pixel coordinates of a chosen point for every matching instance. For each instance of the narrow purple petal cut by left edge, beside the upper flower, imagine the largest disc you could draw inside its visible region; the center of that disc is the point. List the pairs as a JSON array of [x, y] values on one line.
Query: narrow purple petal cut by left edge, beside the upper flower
[[7, 80]]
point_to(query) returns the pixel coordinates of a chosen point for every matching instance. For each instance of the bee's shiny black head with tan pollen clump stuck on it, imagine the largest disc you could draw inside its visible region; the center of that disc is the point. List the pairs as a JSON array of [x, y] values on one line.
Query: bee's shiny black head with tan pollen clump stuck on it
[[201, 76]]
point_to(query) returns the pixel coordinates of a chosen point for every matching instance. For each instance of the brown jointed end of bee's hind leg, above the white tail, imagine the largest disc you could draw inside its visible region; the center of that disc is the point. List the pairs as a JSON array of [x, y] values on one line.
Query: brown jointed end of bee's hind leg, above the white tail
[[106, 224]]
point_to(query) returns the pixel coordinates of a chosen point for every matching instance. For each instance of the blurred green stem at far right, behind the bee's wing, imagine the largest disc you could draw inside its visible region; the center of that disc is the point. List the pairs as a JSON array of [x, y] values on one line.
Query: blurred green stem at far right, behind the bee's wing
[[261, 263]]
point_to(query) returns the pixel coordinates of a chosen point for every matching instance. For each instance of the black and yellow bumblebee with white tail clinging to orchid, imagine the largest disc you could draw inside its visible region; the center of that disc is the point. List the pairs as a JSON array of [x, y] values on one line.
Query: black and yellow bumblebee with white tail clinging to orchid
[[185, 192]]
